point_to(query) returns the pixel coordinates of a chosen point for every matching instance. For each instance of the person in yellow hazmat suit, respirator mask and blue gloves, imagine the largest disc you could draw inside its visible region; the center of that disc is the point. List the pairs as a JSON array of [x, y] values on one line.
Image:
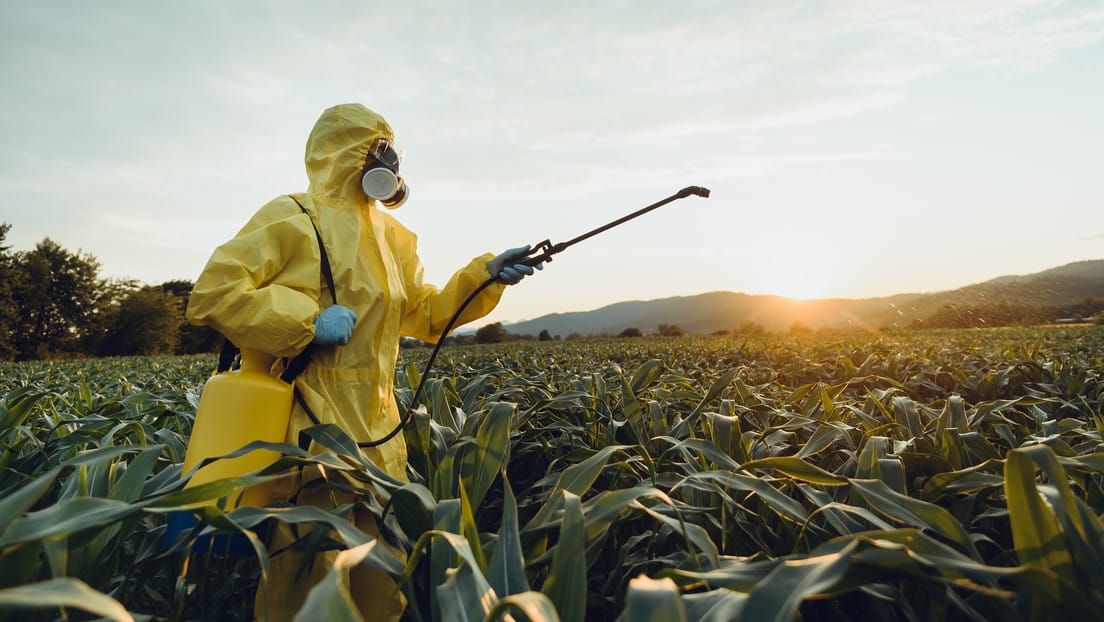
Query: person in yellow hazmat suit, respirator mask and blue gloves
[[263, 291]]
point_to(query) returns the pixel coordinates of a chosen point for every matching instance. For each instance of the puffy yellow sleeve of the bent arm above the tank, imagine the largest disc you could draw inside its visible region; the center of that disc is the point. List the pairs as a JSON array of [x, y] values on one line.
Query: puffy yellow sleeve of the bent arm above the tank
[[261, 289]]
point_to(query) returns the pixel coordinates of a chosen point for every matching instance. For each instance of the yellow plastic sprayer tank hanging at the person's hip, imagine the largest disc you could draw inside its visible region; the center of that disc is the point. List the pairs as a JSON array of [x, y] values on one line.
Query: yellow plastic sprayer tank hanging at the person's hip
[[236, 409]]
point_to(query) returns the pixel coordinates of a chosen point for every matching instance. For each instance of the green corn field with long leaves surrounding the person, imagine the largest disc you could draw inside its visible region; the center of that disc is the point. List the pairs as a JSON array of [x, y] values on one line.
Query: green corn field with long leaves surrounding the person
[[928, 476]]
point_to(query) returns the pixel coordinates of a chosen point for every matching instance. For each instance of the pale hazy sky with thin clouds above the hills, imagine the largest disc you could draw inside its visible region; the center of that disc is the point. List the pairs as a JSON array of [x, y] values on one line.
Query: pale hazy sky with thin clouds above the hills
[[854, 149]]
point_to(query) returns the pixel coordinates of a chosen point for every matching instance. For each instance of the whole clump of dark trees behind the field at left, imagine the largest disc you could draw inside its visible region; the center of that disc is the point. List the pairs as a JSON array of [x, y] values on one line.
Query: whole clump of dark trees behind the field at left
[[56, 304]]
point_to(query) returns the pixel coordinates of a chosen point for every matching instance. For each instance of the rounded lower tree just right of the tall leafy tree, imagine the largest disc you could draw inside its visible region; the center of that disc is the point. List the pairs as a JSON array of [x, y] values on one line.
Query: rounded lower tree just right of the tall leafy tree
[[147, 322]]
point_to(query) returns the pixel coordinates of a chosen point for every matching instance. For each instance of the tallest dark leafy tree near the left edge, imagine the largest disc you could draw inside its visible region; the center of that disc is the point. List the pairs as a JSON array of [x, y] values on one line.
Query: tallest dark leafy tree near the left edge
[[59, 299]]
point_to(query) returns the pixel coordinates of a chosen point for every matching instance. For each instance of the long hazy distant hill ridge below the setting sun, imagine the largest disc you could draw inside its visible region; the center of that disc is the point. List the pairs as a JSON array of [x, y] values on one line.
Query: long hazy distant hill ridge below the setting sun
[[1048, 291]]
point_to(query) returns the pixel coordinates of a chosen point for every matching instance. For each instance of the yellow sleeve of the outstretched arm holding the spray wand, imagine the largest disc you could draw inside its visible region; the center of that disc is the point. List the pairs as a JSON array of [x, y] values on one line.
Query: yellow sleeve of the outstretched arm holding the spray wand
[[429, 309]]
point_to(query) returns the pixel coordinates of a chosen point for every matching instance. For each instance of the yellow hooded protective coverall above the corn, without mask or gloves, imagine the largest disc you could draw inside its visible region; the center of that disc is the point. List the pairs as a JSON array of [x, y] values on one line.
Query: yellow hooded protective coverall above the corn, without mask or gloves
[[263, 289]]
